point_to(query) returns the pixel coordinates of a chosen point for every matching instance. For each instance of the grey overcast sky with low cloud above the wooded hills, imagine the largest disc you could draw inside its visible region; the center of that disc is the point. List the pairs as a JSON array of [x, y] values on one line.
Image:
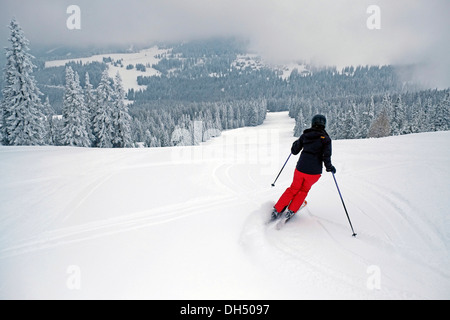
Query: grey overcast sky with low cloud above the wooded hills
[[332, 32]]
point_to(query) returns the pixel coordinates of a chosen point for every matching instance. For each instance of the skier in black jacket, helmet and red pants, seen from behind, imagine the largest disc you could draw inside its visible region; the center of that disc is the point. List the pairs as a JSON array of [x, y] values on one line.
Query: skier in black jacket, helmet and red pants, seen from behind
[[316, 145]]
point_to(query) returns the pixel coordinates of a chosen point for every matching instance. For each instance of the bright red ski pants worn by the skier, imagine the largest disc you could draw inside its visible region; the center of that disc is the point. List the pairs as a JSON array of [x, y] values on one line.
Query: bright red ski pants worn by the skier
[[295, 195]]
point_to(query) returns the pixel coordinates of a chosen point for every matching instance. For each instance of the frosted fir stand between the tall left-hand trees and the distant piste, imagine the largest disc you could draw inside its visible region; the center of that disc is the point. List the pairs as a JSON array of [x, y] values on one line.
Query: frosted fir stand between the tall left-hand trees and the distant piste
[[175, 123]]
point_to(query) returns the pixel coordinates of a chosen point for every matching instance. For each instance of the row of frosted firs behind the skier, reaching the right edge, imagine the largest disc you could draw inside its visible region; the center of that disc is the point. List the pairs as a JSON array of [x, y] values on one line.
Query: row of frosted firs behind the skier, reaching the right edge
[[377, 115]]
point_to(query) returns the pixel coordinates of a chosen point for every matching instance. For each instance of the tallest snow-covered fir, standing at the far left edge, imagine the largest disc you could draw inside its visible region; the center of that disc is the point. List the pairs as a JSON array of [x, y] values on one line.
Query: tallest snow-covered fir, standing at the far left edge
[[23, 118]]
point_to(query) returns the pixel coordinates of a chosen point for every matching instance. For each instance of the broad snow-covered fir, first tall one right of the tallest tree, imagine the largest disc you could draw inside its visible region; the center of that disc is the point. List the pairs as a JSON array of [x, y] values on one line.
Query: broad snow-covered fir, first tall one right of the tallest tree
[[75, 115]]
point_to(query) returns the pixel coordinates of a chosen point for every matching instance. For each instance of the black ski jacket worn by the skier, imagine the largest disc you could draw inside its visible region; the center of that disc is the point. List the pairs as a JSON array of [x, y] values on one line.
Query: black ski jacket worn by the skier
[[316, 146]]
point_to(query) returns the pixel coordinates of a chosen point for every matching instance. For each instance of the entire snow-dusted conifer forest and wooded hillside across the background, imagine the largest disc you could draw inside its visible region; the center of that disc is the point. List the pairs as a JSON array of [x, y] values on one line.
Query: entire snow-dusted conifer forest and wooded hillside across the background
[[201, 89]]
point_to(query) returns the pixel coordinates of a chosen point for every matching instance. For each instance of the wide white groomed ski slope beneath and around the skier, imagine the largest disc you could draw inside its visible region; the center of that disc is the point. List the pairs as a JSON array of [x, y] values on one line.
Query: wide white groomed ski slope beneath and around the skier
[[190, 222]]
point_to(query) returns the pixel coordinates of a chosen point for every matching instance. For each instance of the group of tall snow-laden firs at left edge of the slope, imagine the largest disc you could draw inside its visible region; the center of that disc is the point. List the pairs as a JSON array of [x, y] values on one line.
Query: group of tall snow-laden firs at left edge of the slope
[[97, 118]]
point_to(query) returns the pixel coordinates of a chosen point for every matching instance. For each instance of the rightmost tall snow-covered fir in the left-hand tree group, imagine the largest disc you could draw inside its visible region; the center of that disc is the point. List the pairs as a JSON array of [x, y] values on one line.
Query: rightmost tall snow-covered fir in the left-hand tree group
[[121, 117]]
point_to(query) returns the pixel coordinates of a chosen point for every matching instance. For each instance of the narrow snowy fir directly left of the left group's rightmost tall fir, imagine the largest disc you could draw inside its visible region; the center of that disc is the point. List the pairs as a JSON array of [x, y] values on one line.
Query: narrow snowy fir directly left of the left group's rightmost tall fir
[[103, 121]]
